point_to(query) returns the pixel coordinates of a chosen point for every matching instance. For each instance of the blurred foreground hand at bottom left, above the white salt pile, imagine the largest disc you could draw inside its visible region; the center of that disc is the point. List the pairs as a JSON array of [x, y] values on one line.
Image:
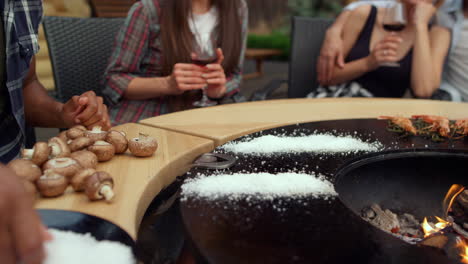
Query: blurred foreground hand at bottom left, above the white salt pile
[[21, 232]]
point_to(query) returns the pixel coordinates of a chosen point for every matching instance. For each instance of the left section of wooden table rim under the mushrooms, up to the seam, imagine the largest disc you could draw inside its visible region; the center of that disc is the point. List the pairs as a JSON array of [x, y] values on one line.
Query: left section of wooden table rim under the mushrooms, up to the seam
[[137, 180]]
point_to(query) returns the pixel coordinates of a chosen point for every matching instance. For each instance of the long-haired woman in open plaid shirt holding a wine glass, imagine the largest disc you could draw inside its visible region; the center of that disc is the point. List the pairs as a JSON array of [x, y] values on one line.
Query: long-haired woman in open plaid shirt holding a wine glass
[[152, 70]]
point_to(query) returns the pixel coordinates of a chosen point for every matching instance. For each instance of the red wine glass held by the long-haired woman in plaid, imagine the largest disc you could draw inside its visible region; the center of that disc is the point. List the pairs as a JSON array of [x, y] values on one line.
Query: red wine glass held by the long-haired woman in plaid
[[203, 55]]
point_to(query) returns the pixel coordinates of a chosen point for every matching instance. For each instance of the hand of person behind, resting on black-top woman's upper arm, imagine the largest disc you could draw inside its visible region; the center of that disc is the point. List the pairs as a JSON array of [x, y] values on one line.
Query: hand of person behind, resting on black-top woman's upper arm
[[331, 55]]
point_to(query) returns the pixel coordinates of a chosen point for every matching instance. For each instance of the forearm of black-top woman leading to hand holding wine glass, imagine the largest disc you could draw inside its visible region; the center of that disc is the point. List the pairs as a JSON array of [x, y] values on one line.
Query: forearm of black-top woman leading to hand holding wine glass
[[351, 71]]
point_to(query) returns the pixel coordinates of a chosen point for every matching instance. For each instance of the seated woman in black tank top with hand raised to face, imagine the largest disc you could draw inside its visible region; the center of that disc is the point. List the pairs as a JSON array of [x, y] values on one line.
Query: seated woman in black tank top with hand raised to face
[[418, 48]]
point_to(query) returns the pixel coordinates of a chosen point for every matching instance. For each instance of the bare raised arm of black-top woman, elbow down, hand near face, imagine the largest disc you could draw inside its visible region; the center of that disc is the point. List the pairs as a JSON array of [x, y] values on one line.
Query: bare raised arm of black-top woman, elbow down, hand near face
[[430, 49]]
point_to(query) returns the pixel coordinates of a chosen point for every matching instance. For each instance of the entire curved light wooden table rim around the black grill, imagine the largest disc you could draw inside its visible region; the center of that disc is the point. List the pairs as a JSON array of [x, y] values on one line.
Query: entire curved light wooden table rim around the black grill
[[184, 135]]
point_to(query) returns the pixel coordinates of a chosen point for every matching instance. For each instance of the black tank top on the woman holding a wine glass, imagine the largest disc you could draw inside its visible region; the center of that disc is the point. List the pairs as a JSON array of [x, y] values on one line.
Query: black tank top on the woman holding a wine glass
[[384, 81]]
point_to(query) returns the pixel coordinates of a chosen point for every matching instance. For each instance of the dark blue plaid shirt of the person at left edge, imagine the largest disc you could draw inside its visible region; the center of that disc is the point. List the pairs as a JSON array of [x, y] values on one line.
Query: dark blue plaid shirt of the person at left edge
[[21, 19]]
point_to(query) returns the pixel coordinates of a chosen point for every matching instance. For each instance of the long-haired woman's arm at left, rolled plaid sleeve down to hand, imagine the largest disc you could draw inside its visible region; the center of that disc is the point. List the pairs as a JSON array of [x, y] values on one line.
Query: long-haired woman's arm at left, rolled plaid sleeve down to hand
[[123, 76]]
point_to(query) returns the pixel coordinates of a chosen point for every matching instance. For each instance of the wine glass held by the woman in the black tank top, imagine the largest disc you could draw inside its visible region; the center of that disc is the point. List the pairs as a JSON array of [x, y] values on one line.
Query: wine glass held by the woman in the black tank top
[[394, 20]]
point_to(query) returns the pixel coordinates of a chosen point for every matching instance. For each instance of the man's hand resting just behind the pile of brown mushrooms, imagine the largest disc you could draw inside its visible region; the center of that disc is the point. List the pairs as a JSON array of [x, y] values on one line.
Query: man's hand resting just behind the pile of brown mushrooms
[[87, 110]]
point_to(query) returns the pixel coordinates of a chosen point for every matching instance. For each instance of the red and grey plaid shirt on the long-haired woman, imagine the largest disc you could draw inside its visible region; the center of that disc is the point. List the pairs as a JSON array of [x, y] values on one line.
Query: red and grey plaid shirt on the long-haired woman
[[138, 53]]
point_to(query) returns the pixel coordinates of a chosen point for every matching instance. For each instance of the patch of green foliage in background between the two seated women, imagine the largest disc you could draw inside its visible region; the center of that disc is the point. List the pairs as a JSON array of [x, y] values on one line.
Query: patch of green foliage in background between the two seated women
[[276, 40]]
